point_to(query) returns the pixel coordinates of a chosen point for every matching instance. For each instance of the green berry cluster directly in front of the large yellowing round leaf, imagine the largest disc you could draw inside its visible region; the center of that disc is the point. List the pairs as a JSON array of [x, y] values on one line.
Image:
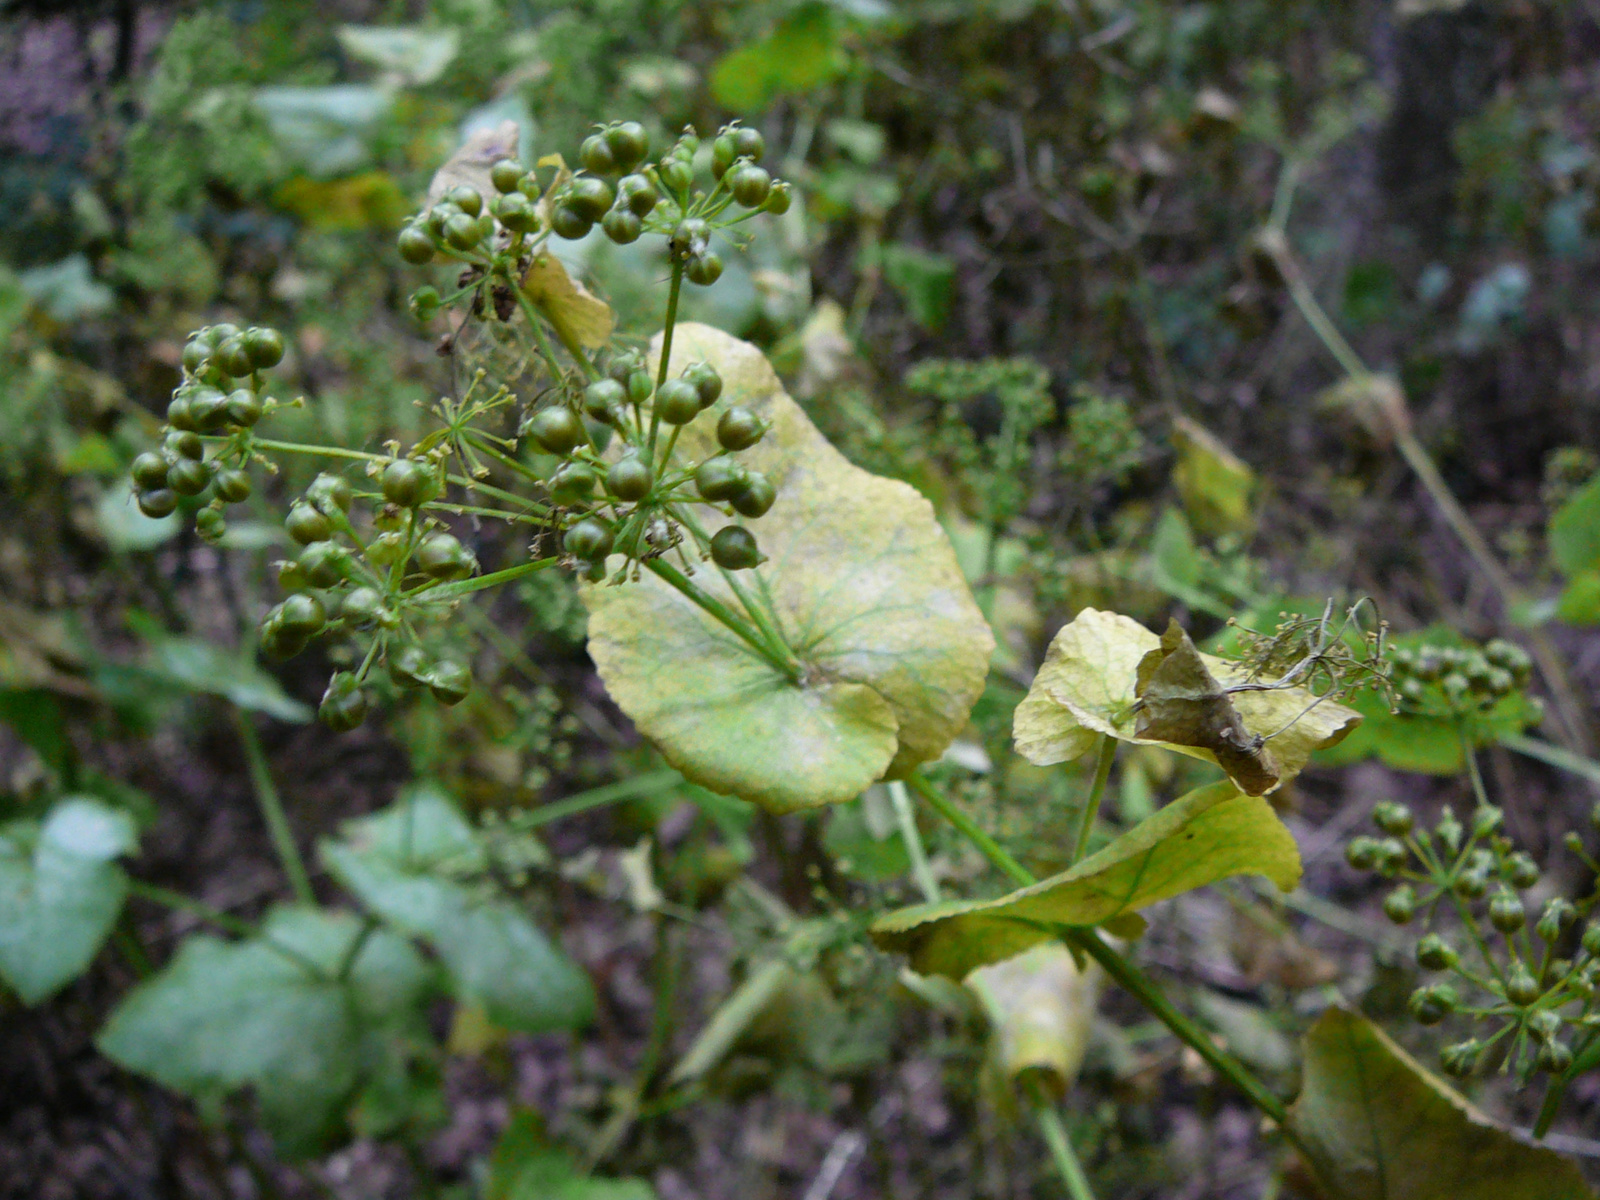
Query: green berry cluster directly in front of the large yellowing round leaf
[[636, 503]]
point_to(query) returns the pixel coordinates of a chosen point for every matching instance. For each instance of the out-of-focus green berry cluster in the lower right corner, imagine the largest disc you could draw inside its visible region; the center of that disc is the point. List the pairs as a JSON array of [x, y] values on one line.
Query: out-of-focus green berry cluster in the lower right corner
[[1530, 975]]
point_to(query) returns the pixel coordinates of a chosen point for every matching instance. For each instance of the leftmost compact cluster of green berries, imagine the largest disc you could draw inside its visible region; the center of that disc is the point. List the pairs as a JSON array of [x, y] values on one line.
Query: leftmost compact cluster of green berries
[[215, 407]]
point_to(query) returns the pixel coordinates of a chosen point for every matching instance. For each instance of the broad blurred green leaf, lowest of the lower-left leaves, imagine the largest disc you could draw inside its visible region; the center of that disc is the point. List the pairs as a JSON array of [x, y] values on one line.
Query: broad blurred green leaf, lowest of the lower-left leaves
[[270, 1014]]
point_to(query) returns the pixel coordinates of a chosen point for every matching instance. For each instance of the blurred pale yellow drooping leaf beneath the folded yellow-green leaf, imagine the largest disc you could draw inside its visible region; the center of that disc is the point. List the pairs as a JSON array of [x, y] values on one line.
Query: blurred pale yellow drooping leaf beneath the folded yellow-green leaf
[[1041, 1007]]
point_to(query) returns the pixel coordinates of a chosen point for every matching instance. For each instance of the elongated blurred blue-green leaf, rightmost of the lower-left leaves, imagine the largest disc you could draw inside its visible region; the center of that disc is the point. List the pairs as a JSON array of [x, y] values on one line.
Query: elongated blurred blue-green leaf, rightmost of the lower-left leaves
[[420, 866]]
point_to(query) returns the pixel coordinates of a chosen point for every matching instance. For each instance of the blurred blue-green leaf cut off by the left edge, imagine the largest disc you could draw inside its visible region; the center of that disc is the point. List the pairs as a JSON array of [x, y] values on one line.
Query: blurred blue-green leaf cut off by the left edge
[[60, 894]]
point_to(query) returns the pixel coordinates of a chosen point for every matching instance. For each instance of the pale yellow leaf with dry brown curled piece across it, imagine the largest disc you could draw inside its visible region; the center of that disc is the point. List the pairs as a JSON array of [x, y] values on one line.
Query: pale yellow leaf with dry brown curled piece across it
[[1090, 686]]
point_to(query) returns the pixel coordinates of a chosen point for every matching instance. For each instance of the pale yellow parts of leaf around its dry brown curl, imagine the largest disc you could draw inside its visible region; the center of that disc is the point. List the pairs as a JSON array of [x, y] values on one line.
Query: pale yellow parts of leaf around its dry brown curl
[[1090, 687]]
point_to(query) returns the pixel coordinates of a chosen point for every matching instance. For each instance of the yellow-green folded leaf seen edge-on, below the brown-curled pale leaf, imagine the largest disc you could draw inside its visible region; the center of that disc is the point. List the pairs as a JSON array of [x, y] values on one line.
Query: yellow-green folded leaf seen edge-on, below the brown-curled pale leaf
[[1210, 834]]
